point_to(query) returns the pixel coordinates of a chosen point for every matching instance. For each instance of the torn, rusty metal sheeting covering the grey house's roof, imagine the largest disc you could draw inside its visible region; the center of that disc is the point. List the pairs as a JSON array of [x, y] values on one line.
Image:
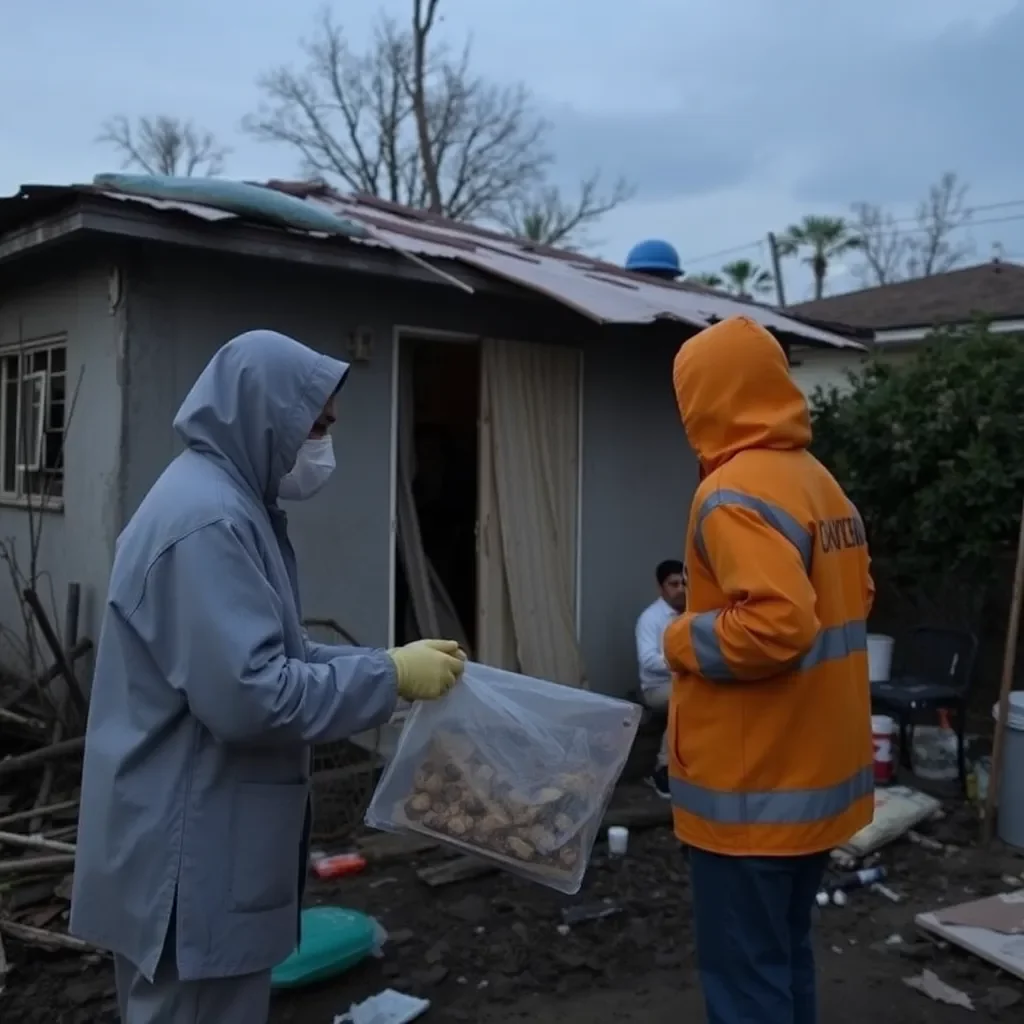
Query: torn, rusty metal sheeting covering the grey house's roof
[[604, 292]]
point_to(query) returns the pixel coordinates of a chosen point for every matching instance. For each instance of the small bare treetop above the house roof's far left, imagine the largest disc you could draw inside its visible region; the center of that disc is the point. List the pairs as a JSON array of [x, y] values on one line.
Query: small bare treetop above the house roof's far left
[[165, 146]]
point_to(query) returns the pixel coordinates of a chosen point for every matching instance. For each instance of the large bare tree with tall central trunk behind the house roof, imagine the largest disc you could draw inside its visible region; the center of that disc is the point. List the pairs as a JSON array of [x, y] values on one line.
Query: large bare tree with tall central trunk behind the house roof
[[410, 121]]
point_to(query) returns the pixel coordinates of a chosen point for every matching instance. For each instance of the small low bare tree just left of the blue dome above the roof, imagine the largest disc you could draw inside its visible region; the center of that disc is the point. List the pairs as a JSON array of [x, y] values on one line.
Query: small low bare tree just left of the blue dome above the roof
[[550, 219]]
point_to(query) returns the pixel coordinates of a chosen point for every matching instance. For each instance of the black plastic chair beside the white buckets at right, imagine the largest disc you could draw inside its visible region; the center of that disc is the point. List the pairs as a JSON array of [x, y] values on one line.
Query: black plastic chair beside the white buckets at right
[[933, 672]]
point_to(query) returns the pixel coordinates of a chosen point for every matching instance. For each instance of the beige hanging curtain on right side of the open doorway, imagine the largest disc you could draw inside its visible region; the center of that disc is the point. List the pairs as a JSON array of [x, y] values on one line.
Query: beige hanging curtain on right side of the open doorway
[[533, 406]]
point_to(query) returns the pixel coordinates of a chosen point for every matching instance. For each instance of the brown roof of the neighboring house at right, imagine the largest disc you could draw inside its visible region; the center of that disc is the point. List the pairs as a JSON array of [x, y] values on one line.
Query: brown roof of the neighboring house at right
[[993, 290]]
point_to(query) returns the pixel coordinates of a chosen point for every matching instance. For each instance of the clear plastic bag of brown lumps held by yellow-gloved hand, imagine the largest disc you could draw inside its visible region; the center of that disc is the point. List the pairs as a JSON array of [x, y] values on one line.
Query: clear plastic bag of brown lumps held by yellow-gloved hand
[[513, 770]]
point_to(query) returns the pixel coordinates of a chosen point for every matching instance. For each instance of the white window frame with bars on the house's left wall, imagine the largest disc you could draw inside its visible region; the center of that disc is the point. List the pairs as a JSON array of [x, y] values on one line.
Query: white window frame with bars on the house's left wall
[[22, 497]]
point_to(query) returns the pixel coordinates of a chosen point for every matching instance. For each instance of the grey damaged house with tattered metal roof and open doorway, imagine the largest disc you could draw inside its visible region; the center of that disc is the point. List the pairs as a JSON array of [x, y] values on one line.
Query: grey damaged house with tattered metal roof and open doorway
[[511, 465]]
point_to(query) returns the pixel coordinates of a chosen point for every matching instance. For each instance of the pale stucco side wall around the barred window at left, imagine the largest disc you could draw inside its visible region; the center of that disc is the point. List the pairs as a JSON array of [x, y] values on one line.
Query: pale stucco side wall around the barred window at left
[[69, 296]]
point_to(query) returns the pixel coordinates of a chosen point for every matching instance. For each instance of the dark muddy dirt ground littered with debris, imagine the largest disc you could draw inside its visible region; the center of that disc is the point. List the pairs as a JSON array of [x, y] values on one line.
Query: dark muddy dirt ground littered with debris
[[492, 951]]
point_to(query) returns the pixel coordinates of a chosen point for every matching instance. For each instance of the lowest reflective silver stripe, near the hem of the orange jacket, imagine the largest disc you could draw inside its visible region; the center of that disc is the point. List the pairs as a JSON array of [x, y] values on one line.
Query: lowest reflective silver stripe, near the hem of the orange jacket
[[782, 807]]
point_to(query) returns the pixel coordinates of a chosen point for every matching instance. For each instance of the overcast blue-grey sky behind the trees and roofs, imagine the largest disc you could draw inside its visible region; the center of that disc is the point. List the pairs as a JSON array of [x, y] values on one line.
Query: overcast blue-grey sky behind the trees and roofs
[[732, 118]]
